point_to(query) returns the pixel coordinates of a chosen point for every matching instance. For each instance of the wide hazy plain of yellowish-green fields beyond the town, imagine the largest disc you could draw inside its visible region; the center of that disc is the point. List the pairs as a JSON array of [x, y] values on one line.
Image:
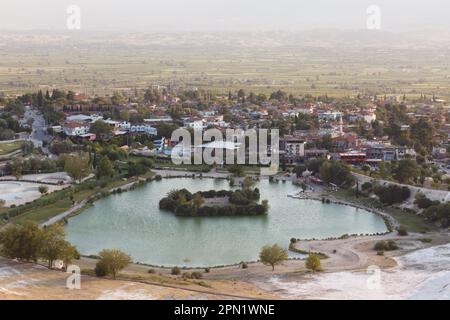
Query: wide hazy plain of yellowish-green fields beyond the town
[[258, 63]]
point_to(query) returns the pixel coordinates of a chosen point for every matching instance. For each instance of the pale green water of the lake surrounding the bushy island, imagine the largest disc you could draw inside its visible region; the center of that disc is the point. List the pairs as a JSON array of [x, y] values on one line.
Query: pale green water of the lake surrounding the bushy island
[[133, 223]]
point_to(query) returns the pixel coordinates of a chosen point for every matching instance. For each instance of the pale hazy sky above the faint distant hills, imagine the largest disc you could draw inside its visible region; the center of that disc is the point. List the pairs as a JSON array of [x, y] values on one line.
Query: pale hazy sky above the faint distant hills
[[223, 15]]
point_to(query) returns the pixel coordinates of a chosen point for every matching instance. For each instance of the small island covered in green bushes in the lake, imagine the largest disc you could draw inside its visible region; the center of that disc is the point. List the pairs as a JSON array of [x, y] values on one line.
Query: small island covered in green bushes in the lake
[[214, 203]]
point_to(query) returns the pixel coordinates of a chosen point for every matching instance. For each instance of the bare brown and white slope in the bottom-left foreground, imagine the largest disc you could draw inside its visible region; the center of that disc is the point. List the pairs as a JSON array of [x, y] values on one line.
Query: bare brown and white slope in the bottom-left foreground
[[31, 281]]
